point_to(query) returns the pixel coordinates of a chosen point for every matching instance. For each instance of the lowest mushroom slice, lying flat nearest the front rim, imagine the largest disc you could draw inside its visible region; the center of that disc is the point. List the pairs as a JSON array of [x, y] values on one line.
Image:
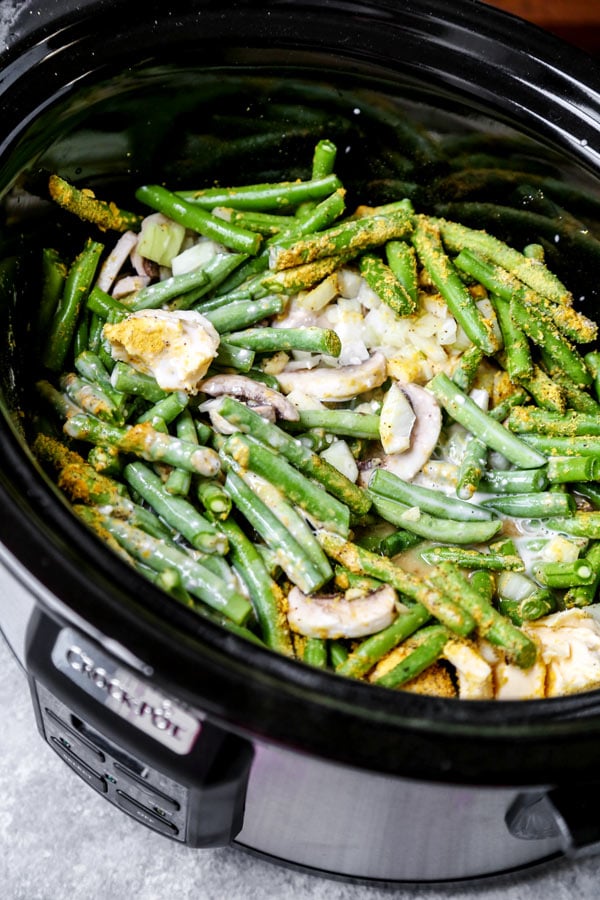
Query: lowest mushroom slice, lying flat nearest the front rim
[[334, 616]]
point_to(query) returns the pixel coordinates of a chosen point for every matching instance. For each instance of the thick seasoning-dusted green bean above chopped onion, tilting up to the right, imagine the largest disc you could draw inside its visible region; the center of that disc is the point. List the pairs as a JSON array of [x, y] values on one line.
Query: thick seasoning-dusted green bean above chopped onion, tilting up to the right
[[352, 236]]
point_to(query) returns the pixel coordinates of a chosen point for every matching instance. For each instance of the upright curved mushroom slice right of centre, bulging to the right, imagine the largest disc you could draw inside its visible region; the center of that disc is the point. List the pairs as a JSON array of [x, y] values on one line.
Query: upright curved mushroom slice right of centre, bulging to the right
[[424, 435]]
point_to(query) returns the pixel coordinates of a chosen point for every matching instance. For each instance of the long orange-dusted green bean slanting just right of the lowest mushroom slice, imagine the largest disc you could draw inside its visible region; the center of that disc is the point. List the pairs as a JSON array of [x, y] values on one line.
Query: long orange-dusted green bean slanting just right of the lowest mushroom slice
[[361, 561]]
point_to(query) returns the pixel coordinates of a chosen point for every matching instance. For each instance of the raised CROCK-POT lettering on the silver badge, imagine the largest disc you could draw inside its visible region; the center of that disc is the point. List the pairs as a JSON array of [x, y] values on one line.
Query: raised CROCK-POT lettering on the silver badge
[[129, 705]]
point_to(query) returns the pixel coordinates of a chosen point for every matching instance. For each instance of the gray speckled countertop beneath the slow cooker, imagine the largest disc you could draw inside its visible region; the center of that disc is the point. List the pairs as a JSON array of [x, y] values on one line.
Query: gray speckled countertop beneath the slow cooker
[[60, 839]]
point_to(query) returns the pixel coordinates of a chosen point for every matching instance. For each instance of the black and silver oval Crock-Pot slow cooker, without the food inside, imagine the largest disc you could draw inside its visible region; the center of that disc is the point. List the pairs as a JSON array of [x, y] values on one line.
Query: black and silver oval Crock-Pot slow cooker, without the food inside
[[191, 730]]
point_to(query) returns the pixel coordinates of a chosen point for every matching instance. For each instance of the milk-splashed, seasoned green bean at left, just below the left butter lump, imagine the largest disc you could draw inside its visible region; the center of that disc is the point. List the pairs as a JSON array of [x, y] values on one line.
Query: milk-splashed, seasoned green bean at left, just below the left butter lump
[[144, 441]]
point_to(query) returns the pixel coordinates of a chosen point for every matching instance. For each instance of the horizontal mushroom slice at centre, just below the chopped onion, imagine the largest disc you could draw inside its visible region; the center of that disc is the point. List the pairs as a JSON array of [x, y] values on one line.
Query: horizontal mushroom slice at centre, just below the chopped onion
[[336, 384]]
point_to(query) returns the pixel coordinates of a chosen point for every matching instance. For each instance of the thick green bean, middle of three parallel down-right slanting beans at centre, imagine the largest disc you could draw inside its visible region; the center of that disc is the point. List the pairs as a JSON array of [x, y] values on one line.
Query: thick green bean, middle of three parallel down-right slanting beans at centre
[[301, 491]]
